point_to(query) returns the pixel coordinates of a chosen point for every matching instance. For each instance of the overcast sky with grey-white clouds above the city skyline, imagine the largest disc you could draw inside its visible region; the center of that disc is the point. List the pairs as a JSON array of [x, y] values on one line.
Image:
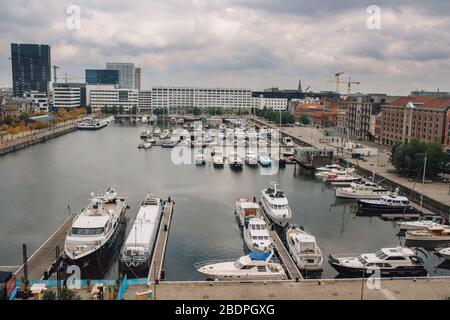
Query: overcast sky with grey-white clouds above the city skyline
[[242, 43]]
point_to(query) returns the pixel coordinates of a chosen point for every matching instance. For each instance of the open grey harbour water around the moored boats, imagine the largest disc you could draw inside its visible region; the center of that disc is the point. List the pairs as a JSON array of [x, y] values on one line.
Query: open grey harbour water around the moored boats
[[38, 183]]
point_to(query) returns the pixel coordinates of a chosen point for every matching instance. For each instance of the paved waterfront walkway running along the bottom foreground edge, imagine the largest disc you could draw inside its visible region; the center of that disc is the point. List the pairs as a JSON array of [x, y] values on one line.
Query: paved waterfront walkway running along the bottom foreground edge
[[401, 289]]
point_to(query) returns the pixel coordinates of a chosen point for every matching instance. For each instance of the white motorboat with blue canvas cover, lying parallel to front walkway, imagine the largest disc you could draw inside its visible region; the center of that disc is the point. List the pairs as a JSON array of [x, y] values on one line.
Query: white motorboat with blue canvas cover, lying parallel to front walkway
[[254, 266]]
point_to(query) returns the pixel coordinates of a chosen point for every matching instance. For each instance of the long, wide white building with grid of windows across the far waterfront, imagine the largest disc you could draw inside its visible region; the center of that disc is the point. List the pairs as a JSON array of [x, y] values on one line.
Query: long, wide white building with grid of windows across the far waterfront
[[178, 99]]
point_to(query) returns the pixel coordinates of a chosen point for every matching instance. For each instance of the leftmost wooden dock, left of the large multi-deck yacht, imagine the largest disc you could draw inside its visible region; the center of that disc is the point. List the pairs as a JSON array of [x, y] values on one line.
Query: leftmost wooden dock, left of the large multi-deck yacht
[[41, 261]]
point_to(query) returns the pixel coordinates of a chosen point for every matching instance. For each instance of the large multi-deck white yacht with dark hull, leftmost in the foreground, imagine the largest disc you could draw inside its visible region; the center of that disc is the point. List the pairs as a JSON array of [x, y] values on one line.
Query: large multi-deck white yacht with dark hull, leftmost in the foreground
[[95, 230]]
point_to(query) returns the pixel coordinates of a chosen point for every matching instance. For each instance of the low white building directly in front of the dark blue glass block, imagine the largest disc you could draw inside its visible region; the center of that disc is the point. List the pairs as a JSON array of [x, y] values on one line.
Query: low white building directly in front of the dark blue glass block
[[101, 96]]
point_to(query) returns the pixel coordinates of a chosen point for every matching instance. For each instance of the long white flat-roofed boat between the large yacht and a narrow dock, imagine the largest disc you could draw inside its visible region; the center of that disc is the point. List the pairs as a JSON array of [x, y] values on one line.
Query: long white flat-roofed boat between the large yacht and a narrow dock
[[138, 247]]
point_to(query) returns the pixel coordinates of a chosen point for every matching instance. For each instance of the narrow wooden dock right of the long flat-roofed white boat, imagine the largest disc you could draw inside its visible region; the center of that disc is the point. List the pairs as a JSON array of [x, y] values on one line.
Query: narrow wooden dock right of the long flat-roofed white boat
[[157, 262]]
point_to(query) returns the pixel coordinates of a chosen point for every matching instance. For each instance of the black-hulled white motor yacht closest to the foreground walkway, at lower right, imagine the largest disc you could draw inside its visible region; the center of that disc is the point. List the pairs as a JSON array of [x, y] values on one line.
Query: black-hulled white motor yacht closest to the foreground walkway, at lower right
[[391, 262]]
